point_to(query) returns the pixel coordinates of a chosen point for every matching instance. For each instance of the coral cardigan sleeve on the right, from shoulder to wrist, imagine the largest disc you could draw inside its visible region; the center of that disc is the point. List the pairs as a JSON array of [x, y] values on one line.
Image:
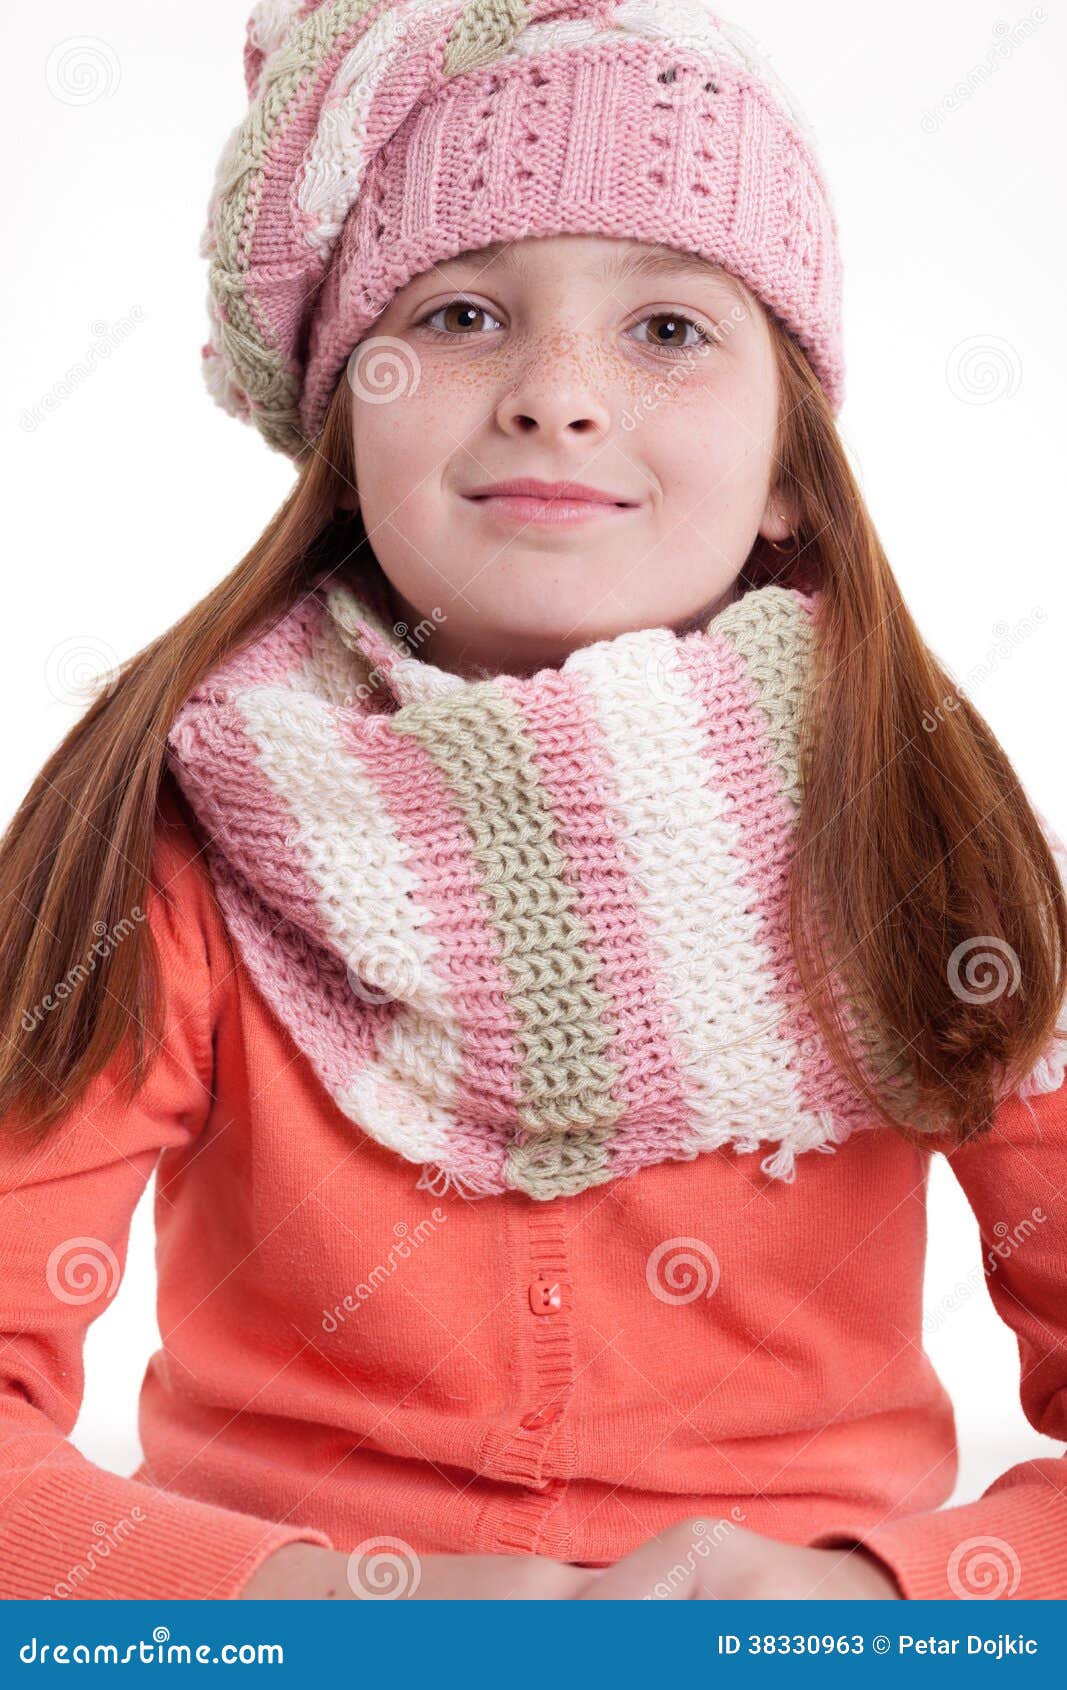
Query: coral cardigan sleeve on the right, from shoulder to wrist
[[1012, 1542]]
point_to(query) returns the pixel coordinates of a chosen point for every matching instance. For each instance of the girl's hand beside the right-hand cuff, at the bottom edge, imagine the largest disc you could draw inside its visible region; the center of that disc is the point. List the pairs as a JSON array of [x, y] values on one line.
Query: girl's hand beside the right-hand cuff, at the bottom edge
[[716, 1561]]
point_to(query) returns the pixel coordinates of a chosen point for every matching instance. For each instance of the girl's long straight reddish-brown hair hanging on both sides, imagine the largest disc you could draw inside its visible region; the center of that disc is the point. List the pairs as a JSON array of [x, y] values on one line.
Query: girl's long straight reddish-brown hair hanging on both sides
[[912, 849]]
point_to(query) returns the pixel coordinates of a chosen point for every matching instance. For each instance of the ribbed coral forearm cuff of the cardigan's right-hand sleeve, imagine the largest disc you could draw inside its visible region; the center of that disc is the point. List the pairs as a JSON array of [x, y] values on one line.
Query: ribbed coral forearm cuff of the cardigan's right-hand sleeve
[[1007, 1547]]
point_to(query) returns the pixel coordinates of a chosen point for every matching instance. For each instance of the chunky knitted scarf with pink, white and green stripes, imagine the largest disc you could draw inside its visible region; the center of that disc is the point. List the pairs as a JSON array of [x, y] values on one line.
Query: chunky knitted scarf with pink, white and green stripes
[[530, 930]]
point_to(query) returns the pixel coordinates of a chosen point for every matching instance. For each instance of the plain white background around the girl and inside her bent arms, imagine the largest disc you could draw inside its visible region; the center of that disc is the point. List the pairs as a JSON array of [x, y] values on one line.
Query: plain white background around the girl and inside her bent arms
[[133, 494]]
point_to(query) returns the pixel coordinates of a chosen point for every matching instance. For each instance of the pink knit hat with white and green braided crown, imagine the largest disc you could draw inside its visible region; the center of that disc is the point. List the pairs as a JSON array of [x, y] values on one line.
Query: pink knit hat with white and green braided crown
[[383, 139]]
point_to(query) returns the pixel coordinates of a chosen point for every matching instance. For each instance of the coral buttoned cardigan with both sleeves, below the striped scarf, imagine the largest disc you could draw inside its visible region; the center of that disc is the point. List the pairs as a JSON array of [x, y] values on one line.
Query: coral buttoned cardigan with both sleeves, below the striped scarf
[[344, 1355]]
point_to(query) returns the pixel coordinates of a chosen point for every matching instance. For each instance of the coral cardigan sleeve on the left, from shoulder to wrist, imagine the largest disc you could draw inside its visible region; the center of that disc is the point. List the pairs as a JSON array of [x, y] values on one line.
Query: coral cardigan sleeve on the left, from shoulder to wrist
[[70, 1529]]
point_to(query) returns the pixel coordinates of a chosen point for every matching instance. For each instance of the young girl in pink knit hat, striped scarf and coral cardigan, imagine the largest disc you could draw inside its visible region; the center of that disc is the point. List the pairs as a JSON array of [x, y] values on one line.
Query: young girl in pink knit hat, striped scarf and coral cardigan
[[484, 907]]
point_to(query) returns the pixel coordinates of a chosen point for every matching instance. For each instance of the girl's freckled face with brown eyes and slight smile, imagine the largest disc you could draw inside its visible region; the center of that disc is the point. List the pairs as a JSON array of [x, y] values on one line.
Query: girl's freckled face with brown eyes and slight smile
[[637, 371]]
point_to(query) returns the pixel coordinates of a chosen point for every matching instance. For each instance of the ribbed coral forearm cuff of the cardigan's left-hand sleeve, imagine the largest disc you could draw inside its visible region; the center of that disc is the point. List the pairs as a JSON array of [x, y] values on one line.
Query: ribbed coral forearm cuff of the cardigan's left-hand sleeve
[[87, 1534]]
